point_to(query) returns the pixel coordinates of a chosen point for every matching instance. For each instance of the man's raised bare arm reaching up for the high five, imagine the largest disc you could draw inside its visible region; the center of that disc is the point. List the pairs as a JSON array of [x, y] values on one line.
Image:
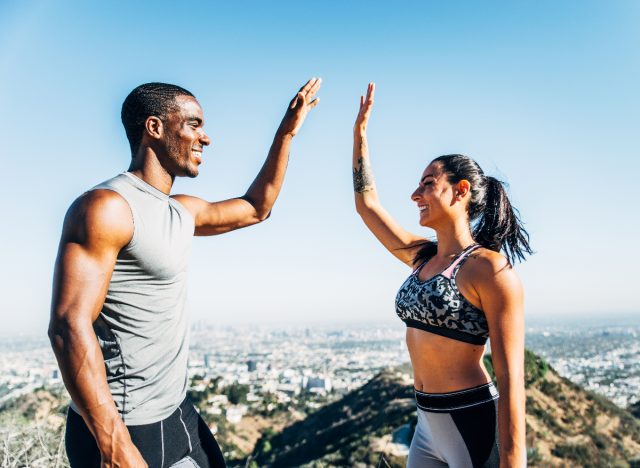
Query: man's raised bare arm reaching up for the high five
[[255, 206]]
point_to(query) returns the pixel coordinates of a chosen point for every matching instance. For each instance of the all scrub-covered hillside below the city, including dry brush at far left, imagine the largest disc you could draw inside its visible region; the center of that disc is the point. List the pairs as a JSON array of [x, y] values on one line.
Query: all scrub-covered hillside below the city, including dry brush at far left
[[566, 427]]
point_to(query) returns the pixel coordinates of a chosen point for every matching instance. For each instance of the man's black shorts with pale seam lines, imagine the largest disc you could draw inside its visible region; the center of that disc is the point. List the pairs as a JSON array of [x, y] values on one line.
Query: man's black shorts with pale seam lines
[[182, 440]]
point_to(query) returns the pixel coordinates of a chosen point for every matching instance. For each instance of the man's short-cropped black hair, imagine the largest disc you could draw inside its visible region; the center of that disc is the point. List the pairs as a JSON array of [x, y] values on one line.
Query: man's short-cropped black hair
[[157, 99]]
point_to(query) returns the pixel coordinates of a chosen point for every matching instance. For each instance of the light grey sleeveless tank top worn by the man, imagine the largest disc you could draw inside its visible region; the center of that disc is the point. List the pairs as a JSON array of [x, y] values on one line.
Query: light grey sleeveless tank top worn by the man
[[143, 326]]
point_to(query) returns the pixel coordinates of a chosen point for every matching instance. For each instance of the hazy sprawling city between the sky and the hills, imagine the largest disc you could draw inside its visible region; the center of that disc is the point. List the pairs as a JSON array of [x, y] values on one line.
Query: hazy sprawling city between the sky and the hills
[[599, 356]]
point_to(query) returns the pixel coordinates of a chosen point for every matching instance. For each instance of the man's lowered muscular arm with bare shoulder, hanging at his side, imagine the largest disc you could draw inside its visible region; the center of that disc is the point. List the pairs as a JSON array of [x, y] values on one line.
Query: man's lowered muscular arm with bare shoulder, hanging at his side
[[97, 226]]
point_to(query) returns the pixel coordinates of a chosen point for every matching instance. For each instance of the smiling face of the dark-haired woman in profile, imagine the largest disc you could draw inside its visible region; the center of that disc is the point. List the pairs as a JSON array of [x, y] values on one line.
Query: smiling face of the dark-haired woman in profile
[[436, 197]]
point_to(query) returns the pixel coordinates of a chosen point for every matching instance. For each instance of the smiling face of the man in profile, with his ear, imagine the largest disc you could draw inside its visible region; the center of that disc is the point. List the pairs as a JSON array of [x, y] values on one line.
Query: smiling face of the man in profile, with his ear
[[184, 138]]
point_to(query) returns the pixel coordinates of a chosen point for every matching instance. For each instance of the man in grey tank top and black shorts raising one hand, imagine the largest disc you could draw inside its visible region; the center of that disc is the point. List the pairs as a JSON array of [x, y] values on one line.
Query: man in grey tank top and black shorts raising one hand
[[118, 325]]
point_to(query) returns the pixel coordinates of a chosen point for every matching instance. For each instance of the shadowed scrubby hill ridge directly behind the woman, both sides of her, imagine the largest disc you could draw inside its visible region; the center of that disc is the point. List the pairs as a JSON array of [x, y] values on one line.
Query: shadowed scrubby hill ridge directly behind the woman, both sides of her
[[566, 426]]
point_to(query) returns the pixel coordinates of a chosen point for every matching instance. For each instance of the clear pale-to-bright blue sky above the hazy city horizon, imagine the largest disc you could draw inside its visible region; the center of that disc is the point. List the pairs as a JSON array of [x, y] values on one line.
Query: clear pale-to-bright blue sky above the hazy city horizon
[[543, 94]]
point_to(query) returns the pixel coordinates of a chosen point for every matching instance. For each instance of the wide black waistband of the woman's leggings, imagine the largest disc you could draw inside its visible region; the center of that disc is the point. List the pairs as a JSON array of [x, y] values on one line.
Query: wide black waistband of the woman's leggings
[[442, 402]]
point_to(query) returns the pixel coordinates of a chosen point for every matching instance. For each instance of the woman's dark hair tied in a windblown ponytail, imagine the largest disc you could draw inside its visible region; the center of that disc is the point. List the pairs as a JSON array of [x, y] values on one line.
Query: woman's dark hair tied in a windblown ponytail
[[495, 222]]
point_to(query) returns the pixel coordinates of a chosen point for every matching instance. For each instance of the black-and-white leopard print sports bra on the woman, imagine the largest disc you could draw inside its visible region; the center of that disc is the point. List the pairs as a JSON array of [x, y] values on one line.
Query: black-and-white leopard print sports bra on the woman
[[437, 306]]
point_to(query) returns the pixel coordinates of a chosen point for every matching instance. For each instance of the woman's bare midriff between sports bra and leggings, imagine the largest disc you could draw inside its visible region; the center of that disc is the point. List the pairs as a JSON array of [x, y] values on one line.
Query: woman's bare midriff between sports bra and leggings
[[442, 365]]
